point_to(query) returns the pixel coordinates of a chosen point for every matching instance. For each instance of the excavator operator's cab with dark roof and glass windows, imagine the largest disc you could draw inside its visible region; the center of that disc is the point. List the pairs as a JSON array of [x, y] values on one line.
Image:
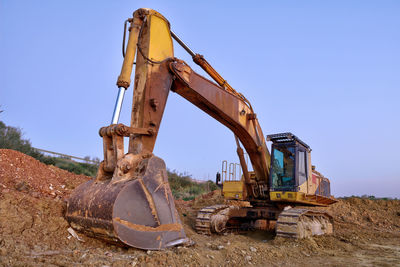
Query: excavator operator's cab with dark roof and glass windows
[[288, 162]]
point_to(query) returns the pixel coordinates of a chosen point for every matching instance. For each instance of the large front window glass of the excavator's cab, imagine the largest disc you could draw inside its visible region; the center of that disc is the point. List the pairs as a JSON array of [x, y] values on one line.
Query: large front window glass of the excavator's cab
[[283, 167]]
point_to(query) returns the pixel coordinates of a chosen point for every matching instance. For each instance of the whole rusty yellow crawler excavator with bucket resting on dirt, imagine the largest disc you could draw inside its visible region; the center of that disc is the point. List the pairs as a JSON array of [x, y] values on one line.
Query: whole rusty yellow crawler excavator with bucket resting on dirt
[[130, 202]]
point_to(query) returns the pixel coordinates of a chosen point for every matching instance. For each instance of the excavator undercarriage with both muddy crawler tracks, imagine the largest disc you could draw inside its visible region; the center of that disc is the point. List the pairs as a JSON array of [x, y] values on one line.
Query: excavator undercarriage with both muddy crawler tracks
[[285, 221]]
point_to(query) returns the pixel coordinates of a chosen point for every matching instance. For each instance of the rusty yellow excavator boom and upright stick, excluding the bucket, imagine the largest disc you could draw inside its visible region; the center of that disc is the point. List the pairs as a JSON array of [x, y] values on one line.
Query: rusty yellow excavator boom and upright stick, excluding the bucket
[[157, 72]]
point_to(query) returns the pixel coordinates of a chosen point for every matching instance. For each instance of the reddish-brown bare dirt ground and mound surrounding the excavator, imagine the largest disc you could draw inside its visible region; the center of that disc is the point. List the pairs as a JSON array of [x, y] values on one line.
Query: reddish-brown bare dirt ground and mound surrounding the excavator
[[33, 231]]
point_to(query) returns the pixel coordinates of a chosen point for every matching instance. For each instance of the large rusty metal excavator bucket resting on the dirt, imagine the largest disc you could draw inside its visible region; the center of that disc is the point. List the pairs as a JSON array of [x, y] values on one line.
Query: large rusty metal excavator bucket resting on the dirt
[[138, 212]]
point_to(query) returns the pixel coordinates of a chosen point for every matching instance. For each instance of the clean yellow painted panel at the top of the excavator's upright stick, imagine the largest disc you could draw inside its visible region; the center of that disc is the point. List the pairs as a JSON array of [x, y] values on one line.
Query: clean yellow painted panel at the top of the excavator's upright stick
[[160, 44]]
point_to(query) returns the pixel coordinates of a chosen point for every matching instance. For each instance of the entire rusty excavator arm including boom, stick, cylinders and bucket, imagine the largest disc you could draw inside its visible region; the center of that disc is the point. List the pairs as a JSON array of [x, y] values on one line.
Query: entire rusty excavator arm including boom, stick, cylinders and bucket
[[130, 200]]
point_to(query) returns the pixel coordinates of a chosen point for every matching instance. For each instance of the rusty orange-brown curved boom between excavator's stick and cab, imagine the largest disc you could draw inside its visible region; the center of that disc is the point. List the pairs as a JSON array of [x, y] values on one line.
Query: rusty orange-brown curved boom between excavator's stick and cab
[[228, 109]]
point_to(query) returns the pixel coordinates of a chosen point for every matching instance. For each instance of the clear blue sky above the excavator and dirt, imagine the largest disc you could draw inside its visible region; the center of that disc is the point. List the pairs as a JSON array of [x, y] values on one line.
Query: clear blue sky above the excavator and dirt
[[328, 71]]
